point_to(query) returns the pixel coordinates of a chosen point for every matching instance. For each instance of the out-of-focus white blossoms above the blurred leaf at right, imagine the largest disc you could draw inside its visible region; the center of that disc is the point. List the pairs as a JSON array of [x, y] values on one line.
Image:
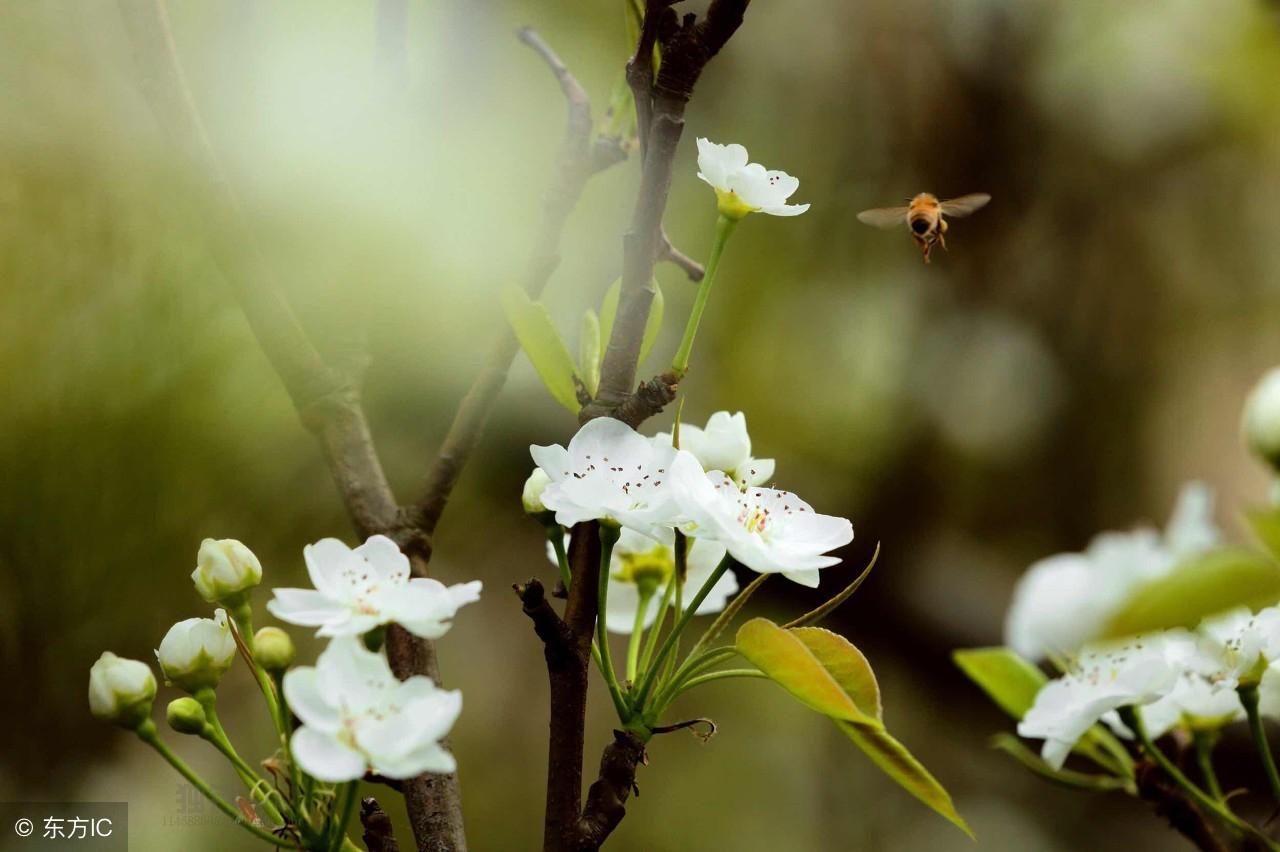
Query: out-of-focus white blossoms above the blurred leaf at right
[[1066, 601]]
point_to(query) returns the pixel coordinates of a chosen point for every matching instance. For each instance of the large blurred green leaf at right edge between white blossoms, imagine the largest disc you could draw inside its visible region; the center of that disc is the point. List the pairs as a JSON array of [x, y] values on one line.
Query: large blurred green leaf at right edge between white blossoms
[[1201, 587]]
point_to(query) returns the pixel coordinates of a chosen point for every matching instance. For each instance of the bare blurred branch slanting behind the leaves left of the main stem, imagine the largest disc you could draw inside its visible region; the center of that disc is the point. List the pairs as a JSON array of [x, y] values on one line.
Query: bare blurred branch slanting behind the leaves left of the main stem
[[577, 162]]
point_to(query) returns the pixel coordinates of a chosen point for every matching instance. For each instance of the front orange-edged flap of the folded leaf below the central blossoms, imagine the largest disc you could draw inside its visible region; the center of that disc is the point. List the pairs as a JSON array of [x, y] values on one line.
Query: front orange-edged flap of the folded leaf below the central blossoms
[[789, 663]]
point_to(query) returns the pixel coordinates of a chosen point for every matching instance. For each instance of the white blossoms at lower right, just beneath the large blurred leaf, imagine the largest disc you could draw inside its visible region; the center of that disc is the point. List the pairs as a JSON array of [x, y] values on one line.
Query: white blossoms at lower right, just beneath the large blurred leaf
[[1178, 679]]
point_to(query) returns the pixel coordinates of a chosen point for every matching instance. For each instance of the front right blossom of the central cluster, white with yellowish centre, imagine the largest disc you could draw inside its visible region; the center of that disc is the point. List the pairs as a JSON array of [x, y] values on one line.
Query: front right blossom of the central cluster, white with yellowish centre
[[767, 530]]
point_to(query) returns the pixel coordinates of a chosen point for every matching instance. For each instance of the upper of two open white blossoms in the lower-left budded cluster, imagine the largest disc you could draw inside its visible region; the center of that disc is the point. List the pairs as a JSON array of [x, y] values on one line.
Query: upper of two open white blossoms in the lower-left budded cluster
[[359, 590]]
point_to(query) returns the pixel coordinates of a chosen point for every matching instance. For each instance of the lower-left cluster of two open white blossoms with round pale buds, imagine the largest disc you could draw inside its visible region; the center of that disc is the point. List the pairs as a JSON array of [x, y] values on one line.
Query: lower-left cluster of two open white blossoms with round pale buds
[[356, 716]]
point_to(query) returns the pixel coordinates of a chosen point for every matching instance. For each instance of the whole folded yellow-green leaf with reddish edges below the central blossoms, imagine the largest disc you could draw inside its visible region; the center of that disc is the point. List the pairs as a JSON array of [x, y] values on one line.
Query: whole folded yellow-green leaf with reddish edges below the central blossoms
[[829, 675]]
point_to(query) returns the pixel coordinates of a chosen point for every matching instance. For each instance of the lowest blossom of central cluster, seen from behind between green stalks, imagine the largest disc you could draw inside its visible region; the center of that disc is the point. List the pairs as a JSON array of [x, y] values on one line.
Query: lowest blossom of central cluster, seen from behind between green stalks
[[642, 567]]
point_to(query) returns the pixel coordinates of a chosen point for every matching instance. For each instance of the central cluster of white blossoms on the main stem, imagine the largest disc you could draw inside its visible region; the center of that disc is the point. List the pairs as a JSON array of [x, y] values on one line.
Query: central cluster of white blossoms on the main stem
[[711, 491]]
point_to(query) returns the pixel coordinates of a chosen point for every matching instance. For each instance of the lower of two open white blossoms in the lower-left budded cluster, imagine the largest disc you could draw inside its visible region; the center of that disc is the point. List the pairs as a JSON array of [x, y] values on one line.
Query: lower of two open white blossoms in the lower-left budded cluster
[[358, 717]]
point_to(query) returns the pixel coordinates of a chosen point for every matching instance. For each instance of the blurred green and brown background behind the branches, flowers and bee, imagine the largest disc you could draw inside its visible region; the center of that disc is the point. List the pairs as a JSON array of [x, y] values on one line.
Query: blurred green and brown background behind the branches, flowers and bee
[[1082, 351]]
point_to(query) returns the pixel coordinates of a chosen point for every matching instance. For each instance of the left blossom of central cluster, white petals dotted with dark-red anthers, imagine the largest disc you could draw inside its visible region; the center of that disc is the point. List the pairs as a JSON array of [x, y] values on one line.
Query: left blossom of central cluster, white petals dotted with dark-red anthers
[[610, 473]]
